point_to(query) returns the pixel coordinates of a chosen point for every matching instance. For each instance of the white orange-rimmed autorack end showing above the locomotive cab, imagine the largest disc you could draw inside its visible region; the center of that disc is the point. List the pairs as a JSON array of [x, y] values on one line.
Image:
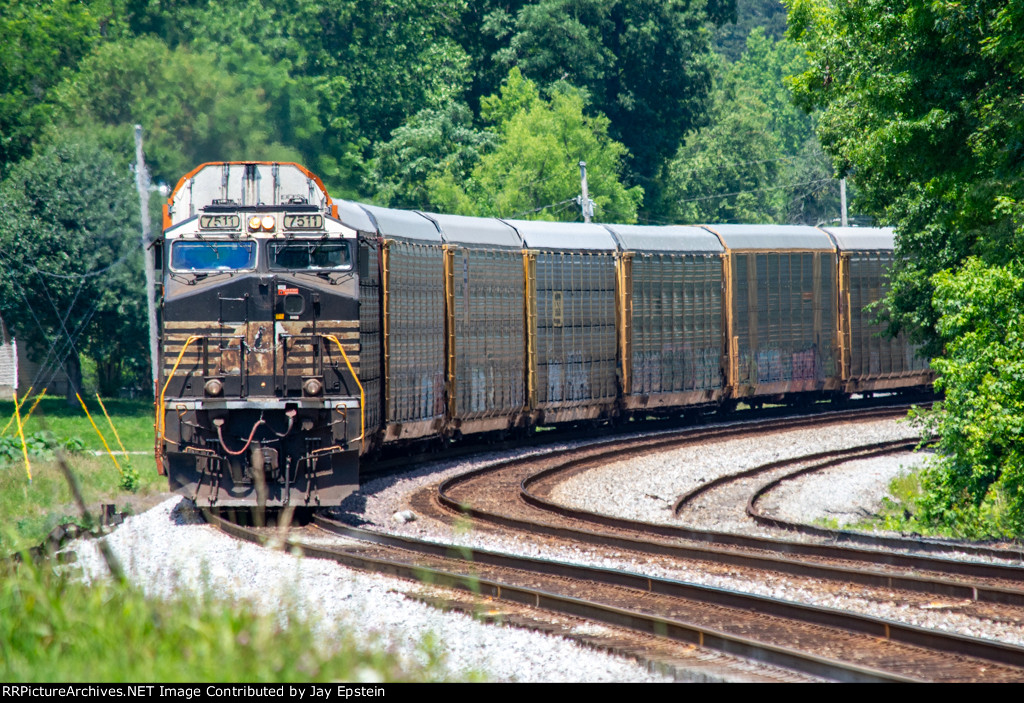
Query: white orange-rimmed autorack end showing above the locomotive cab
[[245, 185]]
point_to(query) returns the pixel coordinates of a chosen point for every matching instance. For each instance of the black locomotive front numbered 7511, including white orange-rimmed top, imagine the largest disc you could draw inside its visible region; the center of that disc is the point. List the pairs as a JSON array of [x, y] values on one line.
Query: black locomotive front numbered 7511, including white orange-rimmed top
[[260, 402]]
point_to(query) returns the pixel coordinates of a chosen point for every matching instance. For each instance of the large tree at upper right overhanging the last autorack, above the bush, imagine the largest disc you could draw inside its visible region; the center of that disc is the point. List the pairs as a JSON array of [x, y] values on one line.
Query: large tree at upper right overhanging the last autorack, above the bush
[[924, 105]]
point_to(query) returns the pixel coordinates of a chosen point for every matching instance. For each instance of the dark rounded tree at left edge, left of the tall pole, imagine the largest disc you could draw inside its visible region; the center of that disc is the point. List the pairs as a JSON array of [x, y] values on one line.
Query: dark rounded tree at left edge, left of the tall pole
[[71, 276]]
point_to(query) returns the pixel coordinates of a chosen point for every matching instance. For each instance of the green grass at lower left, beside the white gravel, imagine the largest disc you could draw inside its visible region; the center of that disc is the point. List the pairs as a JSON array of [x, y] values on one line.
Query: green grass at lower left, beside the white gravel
[[57, 629]]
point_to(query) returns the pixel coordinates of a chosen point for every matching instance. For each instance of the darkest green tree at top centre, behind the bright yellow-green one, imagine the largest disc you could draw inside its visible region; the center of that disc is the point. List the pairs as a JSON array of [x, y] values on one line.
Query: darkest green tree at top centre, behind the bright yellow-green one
[[645, 64]]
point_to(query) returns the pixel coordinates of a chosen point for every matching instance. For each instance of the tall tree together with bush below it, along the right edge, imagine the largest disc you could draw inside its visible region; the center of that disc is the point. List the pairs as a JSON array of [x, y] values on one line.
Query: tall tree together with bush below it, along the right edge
[[924, 105]]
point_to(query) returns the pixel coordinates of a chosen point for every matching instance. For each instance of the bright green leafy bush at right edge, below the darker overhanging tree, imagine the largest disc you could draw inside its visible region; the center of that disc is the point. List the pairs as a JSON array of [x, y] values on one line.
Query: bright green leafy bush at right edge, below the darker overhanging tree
[[976, 486]]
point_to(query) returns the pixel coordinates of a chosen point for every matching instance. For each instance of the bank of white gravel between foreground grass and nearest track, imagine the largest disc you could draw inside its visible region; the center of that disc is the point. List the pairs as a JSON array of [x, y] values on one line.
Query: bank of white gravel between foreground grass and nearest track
[[166, 553]]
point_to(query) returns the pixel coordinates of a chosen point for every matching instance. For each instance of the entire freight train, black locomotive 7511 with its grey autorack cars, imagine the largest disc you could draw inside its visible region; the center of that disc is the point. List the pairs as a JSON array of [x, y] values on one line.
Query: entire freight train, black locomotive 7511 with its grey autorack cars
[[301, 335]]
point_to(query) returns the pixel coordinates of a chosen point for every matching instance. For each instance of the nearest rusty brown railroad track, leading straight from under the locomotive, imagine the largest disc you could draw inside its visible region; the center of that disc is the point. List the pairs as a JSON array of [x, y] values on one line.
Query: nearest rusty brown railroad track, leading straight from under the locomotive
[[815, 641]]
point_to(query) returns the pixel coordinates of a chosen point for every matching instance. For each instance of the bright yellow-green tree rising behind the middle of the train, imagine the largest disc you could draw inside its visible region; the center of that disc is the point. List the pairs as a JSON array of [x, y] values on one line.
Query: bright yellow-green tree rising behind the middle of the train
[[534, 171]]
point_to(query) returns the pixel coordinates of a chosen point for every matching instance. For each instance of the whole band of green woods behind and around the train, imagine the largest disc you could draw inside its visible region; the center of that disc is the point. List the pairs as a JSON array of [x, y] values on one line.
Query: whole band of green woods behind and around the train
[[686, 111]]
